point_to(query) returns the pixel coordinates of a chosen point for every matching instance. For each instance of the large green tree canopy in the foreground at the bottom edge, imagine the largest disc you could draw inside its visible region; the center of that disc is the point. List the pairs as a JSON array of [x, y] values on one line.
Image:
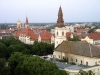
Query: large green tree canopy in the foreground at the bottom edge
[[22, 64]]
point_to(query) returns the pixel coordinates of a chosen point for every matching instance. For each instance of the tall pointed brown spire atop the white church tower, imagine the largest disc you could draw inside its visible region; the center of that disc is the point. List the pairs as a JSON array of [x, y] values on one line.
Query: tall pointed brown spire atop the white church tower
[[60, 21]]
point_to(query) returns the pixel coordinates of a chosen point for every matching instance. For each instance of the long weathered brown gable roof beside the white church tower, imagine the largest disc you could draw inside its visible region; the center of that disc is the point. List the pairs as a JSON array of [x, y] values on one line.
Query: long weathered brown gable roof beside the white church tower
[[78, 48]]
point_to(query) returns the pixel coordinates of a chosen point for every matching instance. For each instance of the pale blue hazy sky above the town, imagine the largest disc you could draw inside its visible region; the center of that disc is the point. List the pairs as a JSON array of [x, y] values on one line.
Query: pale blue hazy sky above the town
[[44, 11]]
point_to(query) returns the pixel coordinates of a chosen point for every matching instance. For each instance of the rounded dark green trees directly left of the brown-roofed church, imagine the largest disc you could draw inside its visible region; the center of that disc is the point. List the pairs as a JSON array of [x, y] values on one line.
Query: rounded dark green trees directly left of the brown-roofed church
[[42, 48]]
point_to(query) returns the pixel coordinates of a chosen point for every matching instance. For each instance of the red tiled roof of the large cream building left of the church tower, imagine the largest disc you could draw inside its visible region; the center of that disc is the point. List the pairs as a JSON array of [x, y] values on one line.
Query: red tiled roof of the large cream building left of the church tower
[[44, 34]]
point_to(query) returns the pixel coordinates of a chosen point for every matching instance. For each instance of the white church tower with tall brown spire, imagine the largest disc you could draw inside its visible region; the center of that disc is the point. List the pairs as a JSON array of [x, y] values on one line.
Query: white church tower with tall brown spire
[[60, 29]]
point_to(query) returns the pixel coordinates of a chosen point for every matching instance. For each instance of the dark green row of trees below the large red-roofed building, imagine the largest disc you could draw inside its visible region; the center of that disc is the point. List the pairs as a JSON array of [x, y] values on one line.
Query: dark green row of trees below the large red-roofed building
[[10, 45]]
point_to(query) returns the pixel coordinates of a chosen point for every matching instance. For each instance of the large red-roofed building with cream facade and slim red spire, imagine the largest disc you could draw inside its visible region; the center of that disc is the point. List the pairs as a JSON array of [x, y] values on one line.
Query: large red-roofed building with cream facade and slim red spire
[[29, 35]]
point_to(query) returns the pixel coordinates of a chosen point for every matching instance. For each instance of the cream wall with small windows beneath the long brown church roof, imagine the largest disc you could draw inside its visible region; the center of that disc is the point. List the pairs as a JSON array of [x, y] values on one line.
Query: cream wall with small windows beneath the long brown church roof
[[80, 59]]
